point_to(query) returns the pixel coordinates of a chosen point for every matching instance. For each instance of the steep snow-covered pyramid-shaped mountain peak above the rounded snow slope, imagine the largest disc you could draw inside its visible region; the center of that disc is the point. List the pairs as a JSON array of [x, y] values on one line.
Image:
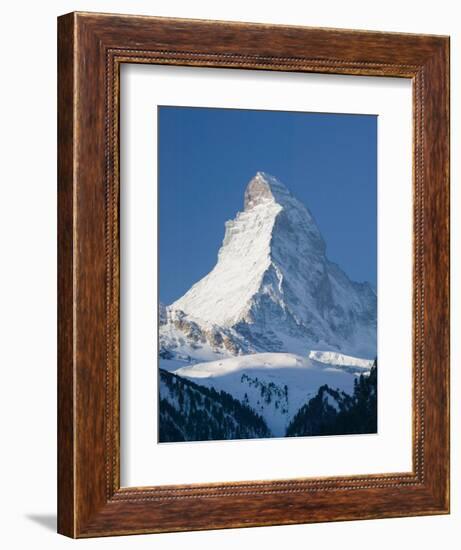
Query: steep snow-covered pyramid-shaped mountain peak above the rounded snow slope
[[272, 289]]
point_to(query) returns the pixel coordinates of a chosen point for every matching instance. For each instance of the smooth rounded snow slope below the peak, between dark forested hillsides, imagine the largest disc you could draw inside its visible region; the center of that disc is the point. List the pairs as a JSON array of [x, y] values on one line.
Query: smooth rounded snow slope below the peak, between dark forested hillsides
[[275, 385]]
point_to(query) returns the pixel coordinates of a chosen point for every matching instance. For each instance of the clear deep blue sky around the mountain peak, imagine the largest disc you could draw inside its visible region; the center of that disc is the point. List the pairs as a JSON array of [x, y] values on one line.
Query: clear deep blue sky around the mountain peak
[[207, 156]]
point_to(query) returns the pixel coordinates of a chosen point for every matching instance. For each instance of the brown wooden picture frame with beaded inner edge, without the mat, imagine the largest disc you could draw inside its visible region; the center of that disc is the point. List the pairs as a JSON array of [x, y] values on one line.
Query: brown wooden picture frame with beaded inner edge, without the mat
[[91, 48]]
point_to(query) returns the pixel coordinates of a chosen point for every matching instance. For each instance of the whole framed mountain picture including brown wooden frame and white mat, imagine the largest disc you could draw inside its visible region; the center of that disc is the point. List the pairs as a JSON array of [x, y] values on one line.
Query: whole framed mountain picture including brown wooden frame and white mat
[[253, 275]]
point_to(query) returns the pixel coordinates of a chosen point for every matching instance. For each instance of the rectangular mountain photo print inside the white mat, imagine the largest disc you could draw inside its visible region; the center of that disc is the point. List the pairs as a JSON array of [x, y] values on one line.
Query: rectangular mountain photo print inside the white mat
[[267, 260]]
